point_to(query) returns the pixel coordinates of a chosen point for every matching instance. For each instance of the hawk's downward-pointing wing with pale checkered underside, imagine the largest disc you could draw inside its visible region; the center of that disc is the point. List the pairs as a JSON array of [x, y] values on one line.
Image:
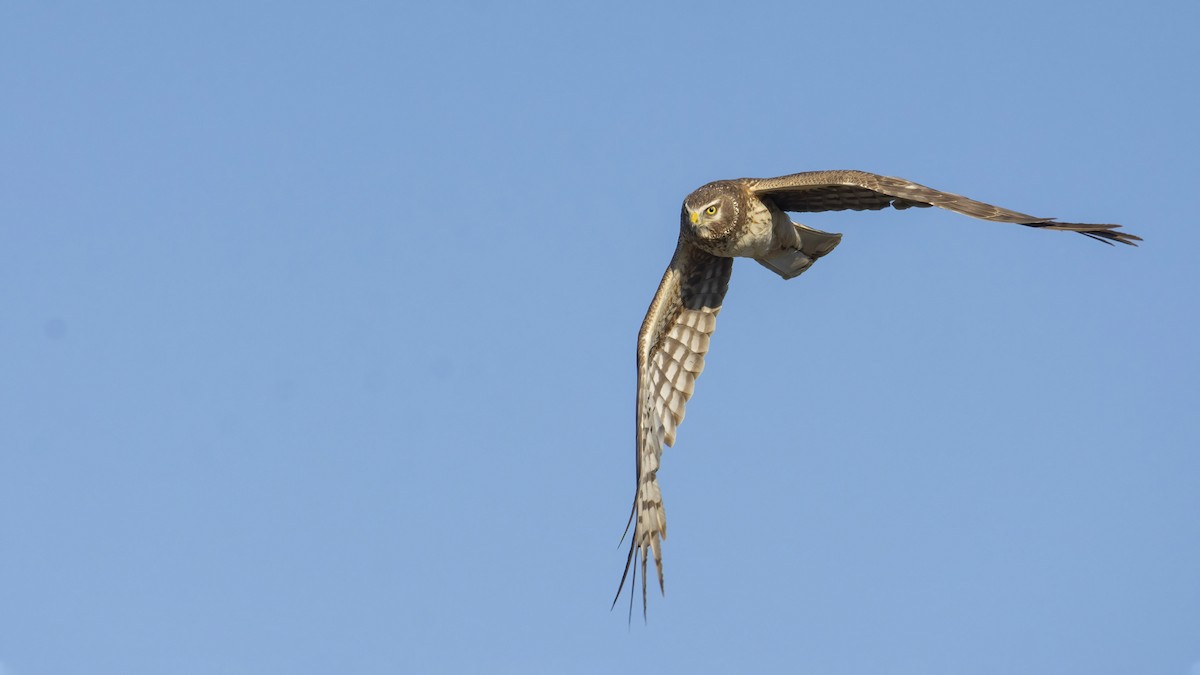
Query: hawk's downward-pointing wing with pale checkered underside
[[671, 349]]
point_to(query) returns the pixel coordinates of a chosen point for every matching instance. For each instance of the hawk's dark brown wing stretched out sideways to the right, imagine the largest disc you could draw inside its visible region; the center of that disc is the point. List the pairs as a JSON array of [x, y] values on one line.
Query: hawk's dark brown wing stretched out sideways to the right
[[857, 190]]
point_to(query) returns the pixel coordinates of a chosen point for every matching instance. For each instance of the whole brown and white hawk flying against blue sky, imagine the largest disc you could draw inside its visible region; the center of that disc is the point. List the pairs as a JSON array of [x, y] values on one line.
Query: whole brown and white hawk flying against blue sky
[[748, 218]]
